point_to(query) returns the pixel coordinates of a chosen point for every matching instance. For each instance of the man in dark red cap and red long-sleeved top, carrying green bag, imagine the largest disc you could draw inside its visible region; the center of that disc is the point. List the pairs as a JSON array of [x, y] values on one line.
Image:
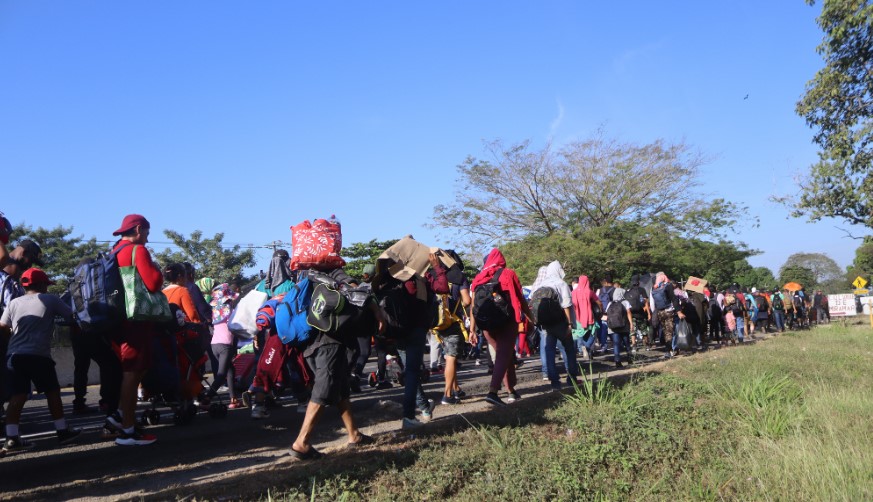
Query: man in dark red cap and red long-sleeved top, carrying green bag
[[135, 337]]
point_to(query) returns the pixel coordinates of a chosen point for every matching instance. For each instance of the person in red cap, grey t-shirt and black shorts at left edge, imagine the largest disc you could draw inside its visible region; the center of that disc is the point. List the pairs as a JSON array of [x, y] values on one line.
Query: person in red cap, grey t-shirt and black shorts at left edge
[[29, 319]]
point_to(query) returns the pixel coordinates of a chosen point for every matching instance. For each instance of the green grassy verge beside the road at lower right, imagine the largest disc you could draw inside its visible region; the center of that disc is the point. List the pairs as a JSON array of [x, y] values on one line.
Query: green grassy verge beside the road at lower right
[[786, 419]]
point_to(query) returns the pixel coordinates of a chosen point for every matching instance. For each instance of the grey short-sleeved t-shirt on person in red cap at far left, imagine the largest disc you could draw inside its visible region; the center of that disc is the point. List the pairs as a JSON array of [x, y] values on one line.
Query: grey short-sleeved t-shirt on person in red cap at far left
[[32, 318]]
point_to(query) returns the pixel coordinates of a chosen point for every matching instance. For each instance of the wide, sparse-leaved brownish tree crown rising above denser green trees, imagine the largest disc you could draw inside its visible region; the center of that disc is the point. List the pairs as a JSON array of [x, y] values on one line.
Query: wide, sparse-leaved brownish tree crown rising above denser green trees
[[520, 191]]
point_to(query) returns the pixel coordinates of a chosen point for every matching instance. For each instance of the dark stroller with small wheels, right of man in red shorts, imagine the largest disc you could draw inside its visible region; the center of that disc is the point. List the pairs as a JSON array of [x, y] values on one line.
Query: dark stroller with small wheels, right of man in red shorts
[[177, 375]]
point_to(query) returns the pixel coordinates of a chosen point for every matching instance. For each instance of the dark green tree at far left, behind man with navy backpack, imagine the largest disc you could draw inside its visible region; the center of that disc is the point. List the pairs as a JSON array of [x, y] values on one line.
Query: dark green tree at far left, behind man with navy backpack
[[61, 252]]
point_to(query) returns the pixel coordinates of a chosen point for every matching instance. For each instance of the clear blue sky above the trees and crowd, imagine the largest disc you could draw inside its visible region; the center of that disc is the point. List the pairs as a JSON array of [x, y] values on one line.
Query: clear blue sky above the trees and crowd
[[247, 117]]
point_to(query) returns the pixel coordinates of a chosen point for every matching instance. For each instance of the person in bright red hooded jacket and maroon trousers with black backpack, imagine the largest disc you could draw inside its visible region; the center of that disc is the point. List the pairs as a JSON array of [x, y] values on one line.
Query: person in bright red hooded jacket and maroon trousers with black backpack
[[501, 338]]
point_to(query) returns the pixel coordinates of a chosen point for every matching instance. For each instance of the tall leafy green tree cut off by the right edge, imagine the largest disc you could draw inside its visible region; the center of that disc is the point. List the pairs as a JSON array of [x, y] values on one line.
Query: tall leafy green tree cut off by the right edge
[[838, 105]]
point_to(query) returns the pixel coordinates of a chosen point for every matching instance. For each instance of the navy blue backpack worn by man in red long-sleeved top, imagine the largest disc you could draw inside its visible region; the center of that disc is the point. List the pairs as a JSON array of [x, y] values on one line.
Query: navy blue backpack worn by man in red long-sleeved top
[[97, 292]]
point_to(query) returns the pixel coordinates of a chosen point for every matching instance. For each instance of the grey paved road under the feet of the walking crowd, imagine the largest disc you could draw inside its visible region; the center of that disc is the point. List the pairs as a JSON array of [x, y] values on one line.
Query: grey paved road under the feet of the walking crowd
[[207, 448]]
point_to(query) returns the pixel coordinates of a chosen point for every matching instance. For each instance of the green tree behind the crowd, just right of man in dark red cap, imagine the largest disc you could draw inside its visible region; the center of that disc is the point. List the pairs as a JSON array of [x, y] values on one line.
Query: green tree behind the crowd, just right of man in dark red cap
[[209, 256]]
